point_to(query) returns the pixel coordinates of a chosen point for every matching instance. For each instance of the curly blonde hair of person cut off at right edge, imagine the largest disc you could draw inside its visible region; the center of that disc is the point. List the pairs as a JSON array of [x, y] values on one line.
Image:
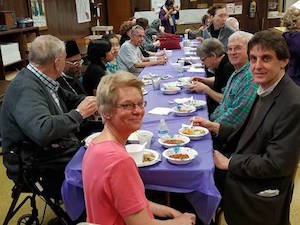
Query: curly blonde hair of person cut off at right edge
[[290, 18]]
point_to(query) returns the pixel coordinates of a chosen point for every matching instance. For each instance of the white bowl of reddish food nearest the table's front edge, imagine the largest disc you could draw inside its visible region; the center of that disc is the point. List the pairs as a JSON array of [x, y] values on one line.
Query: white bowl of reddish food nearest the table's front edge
[[182, 150]]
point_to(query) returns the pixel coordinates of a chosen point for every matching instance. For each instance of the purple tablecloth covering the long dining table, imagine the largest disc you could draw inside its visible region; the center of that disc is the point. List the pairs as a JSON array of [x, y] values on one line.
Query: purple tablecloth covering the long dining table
[[195, 180]]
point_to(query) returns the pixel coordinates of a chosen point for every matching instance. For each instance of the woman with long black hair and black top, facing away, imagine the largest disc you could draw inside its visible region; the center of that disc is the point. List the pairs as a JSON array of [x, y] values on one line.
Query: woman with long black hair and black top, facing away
[[99, 53]]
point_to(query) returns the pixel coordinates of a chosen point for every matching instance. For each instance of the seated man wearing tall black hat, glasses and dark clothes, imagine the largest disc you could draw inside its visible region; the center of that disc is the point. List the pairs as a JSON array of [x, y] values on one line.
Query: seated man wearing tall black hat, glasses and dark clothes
[[69, 79]]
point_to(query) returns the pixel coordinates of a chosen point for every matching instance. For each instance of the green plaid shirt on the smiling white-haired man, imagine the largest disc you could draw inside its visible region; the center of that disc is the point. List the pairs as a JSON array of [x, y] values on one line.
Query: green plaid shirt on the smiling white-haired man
[[238, 98]]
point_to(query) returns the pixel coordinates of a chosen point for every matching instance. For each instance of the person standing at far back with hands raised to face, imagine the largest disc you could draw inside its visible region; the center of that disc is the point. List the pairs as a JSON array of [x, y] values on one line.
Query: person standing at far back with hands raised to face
[[168, 14]]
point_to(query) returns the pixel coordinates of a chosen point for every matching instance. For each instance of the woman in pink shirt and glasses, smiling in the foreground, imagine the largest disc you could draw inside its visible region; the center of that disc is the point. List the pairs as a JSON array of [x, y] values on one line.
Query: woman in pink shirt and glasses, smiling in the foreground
[[114, 192]]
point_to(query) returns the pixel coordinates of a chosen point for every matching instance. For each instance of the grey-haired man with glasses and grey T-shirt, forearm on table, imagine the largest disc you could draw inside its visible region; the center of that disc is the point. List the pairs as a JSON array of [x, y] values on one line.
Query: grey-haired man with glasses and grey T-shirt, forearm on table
[[130, 55]]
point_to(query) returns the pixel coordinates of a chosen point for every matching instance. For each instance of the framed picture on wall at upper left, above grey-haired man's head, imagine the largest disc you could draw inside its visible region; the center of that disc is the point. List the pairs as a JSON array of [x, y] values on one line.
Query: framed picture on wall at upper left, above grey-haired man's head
[[38, 13]]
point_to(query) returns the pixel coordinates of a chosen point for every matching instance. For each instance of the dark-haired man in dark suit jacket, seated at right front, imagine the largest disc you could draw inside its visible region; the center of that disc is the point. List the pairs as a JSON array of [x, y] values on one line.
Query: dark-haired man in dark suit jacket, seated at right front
[[260, 172]]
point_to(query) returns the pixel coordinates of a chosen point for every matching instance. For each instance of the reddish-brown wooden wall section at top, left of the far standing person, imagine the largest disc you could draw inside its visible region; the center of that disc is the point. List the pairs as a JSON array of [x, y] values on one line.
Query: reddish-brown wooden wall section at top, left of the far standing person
[[119, 11]]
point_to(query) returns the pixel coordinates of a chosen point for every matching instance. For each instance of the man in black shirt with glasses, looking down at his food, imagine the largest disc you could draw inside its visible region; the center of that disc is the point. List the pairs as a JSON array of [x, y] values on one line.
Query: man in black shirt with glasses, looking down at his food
[[213, 56]]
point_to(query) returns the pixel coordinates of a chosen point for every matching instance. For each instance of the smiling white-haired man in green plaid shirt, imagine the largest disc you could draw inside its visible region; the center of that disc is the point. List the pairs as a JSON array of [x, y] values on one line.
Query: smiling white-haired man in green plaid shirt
[[238, 96]]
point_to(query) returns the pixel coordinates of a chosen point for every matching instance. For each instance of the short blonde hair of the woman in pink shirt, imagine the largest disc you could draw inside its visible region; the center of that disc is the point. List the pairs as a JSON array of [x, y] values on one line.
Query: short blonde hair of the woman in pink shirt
[[106, 90]]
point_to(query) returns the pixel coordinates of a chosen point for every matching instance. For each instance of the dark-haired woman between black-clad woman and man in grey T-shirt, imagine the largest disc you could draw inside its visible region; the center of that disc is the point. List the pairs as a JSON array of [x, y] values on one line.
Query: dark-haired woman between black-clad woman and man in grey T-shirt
[[114, 65]]
